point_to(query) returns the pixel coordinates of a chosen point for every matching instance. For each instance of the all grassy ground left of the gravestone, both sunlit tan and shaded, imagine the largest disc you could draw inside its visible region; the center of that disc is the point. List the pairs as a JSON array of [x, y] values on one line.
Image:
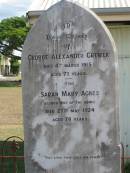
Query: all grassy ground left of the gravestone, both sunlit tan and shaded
[[11, 124]]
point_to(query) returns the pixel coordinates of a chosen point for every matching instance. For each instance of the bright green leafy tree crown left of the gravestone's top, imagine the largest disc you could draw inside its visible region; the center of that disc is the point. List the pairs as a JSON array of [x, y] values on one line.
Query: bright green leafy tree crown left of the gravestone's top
[[13, 32]]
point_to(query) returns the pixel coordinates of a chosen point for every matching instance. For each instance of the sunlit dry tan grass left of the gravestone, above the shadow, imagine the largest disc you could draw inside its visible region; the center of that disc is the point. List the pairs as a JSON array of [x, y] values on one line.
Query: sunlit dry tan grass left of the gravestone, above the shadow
[[10, 112]]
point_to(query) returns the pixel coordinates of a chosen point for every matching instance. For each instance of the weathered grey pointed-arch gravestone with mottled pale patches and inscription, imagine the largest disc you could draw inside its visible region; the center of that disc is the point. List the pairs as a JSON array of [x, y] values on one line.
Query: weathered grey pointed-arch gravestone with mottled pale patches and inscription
[[69, 94]]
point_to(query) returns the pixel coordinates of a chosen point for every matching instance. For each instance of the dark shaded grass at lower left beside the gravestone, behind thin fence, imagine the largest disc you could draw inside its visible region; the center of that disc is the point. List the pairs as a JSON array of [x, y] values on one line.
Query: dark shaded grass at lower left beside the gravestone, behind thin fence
[[10, 150]]
